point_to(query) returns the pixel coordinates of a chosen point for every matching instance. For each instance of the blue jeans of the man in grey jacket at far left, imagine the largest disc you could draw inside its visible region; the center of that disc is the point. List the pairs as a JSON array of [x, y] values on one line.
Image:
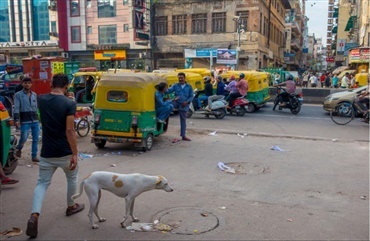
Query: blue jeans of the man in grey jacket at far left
[[35, 131]]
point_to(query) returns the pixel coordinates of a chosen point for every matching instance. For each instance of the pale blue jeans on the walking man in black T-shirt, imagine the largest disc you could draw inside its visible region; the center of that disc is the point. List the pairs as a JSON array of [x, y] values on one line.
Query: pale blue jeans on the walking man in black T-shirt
[[47, 167]]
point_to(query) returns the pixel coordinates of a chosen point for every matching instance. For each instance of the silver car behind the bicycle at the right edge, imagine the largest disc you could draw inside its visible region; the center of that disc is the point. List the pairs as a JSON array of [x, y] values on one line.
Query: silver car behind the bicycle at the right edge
[[341, 97]]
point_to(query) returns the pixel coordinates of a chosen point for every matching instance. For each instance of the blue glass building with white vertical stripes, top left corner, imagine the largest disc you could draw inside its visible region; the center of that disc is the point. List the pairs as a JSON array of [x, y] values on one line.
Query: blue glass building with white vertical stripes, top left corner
[[24, 30]]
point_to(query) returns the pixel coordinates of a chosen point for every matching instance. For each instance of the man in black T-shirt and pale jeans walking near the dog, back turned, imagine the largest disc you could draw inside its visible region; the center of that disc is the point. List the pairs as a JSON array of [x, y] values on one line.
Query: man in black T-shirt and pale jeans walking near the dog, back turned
[[59, 148]]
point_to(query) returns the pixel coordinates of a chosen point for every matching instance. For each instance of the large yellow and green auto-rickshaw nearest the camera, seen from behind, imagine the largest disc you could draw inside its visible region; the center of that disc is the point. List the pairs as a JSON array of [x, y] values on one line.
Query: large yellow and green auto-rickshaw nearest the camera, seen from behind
[[124, 110]]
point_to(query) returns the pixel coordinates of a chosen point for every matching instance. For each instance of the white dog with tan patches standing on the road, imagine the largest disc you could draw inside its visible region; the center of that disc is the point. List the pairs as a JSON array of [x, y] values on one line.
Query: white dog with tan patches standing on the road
[[128, 186]]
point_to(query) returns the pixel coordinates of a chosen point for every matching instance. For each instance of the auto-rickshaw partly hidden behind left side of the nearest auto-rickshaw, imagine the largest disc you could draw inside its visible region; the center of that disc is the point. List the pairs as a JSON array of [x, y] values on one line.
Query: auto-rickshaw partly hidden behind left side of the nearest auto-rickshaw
[[81, 88]]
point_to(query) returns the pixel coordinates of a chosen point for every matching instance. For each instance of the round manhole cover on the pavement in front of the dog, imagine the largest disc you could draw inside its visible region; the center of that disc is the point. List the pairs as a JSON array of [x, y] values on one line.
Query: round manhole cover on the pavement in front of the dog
[[188, 220]]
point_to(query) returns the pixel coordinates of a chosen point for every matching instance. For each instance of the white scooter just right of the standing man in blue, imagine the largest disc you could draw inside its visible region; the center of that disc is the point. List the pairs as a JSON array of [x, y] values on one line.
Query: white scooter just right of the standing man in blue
[[218, 108]]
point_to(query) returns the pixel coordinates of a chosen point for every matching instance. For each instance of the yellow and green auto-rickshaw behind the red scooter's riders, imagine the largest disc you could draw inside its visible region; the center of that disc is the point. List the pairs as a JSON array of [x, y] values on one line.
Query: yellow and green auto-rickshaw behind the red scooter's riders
[[258, 87]]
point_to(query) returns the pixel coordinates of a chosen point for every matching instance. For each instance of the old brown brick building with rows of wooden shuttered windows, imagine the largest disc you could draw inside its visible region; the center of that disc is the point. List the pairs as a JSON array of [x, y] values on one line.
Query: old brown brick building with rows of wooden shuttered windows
[[192, 30]]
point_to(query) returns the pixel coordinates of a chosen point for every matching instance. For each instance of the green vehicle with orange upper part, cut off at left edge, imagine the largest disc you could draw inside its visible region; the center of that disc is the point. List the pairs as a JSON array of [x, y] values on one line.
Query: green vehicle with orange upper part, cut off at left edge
[[8, 142]]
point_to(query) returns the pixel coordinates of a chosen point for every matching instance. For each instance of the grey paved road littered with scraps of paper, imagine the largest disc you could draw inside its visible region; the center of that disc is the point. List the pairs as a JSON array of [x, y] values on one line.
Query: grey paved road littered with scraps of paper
[[311, 191]]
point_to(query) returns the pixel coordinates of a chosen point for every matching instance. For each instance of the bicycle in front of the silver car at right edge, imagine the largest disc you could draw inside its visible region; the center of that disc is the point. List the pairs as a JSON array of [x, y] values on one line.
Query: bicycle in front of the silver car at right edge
[[344, 113]]
